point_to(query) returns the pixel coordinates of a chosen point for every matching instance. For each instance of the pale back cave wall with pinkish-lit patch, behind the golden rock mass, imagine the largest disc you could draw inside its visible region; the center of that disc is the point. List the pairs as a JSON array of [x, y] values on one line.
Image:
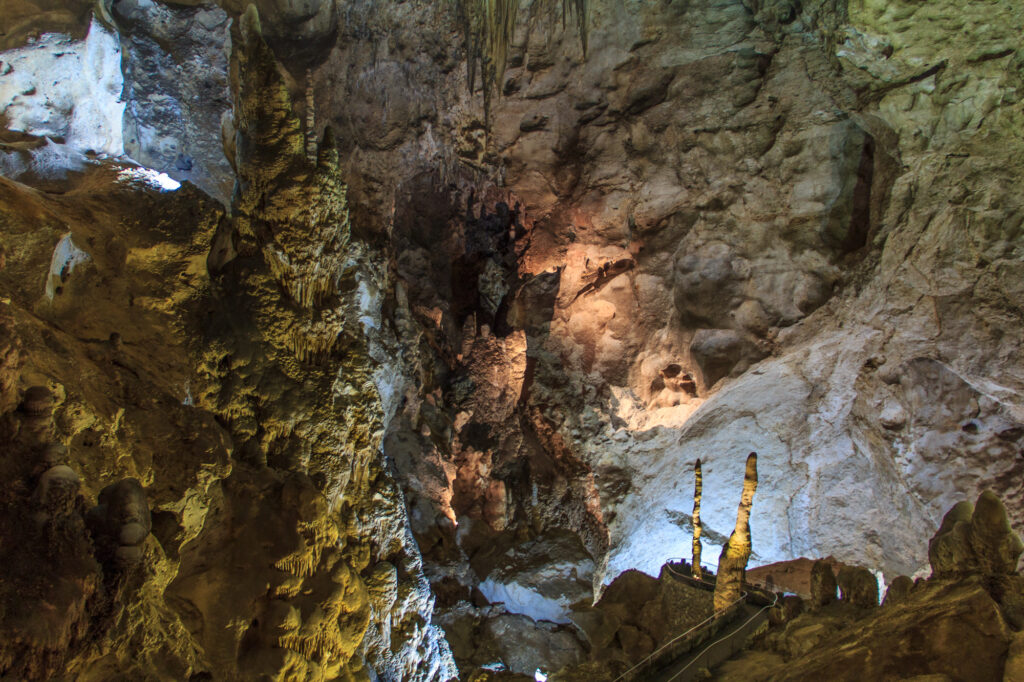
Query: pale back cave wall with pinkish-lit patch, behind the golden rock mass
[[847, 192]]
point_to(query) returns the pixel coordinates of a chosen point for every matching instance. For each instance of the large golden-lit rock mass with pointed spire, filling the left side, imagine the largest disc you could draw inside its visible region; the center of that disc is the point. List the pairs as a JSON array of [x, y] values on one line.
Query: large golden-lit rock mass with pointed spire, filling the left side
[[189, 503]]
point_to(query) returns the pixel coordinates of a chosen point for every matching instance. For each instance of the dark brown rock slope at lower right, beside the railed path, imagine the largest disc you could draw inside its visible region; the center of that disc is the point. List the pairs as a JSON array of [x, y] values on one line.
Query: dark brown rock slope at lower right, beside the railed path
[[954, 627]]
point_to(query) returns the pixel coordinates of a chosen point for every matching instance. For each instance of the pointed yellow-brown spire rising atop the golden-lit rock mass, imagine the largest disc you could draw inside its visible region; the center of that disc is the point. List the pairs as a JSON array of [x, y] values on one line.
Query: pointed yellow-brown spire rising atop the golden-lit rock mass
[[290, 196]]
